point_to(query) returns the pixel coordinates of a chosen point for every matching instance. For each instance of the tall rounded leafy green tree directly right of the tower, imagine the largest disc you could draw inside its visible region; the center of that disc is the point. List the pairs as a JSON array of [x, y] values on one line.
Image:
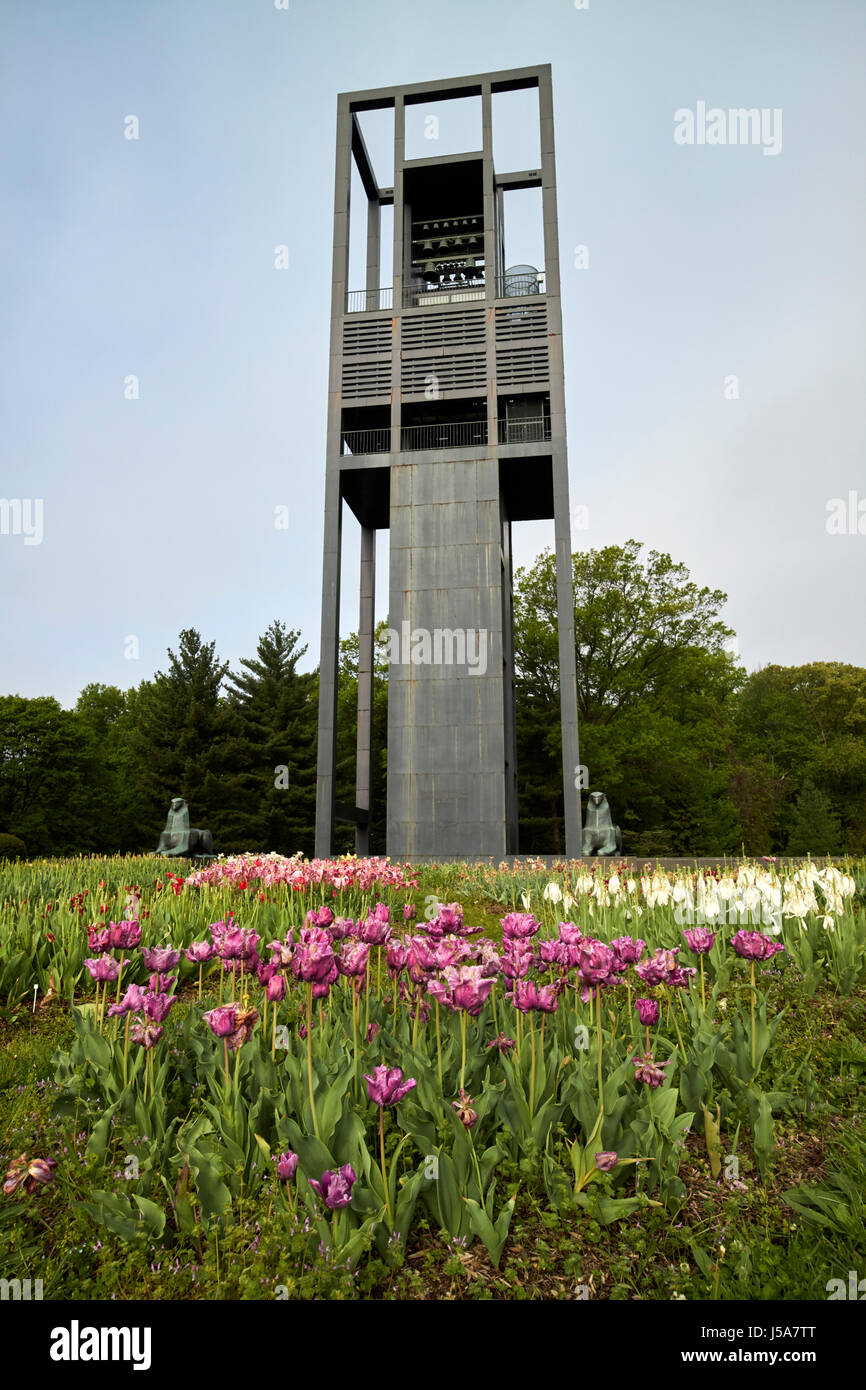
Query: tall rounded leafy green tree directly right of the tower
[[655, 692]]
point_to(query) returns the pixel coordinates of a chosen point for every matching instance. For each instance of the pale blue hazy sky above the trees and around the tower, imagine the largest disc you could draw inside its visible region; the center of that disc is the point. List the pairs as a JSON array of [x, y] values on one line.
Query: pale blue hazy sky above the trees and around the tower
[[155, 258]]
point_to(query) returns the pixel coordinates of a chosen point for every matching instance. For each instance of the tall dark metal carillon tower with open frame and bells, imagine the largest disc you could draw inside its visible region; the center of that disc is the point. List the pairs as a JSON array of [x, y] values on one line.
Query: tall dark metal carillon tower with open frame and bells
[[446, 426]]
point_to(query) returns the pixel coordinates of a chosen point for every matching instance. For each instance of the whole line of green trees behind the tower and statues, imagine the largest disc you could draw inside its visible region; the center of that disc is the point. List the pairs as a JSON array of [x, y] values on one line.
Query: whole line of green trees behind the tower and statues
[[697, 757]]
